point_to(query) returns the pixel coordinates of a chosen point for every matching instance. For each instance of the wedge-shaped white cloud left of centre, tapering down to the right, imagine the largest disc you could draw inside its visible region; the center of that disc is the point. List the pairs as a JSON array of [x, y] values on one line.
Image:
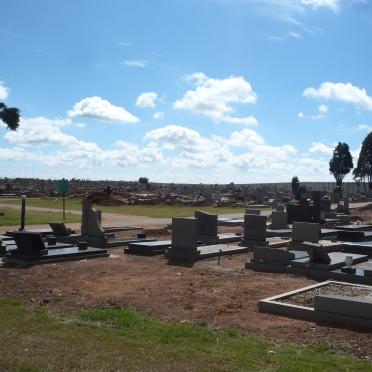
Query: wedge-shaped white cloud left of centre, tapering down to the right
[[98, 108]]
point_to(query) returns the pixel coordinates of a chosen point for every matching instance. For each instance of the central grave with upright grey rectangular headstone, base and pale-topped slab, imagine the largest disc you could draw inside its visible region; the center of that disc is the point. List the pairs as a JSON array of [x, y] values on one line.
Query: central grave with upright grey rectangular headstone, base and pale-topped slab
[[185, 246]]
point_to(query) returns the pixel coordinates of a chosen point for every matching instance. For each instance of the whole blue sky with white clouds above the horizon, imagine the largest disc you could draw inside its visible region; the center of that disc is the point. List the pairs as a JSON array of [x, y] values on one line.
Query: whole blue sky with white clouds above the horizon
[[212, 91]]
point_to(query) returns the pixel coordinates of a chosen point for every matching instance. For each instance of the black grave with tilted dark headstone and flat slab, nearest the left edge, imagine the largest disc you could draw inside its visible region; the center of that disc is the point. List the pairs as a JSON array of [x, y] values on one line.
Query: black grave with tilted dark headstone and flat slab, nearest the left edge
[[31, 250]]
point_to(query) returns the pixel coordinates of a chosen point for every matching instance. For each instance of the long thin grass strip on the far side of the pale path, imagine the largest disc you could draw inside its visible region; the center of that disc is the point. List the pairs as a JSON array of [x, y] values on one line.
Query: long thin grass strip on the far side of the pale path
[[161, 211]]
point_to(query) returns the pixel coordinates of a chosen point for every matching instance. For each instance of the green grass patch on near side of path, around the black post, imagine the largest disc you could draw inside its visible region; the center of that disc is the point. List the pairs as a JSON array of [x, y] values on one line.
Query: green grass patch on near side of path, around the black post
[[12, 217]]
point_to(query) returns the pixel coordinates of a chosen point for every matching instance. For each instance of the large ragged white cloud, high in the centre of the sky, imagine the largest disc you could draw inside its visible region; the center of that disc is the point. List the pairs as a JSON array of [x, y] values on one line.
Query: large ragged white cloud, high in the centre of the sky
[[213, 98]]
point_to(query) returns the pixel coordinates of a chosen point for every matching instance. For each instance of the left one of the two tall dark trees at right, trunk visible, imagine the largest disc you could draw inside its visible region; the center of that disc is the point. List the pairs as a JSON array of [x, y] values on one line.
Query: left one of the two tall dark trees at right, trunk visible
[[340, 164]]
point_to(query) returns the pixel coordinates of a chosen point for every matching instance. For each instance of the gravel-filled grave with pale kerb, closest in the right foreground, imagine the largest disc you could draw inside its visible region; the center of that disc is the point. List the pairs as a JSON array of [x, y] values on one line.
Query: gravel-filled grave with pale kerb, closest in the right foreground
[[330, 301]]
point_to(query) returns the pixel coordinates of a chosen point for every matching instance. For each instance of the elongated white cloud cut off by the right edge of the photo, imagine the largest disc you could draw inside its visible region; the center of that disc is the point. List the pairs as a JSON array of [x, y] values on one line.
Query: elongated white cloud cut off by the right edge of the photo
[[344, 92]]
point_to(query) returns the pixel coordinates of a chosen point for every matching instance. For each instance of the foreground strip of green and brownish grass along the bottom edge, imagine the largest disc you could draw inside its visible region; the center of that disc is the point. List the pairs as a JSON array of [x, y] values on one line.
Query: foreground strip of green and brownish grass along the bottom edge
[[113, 339]]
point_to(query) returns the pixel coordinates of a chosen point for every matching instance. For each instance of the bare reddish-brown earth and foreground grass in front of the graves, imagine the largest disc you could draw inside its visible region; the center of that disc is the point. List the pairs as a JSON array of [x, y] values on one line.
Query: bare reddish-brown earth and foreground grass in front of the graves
[[136, 312]]
